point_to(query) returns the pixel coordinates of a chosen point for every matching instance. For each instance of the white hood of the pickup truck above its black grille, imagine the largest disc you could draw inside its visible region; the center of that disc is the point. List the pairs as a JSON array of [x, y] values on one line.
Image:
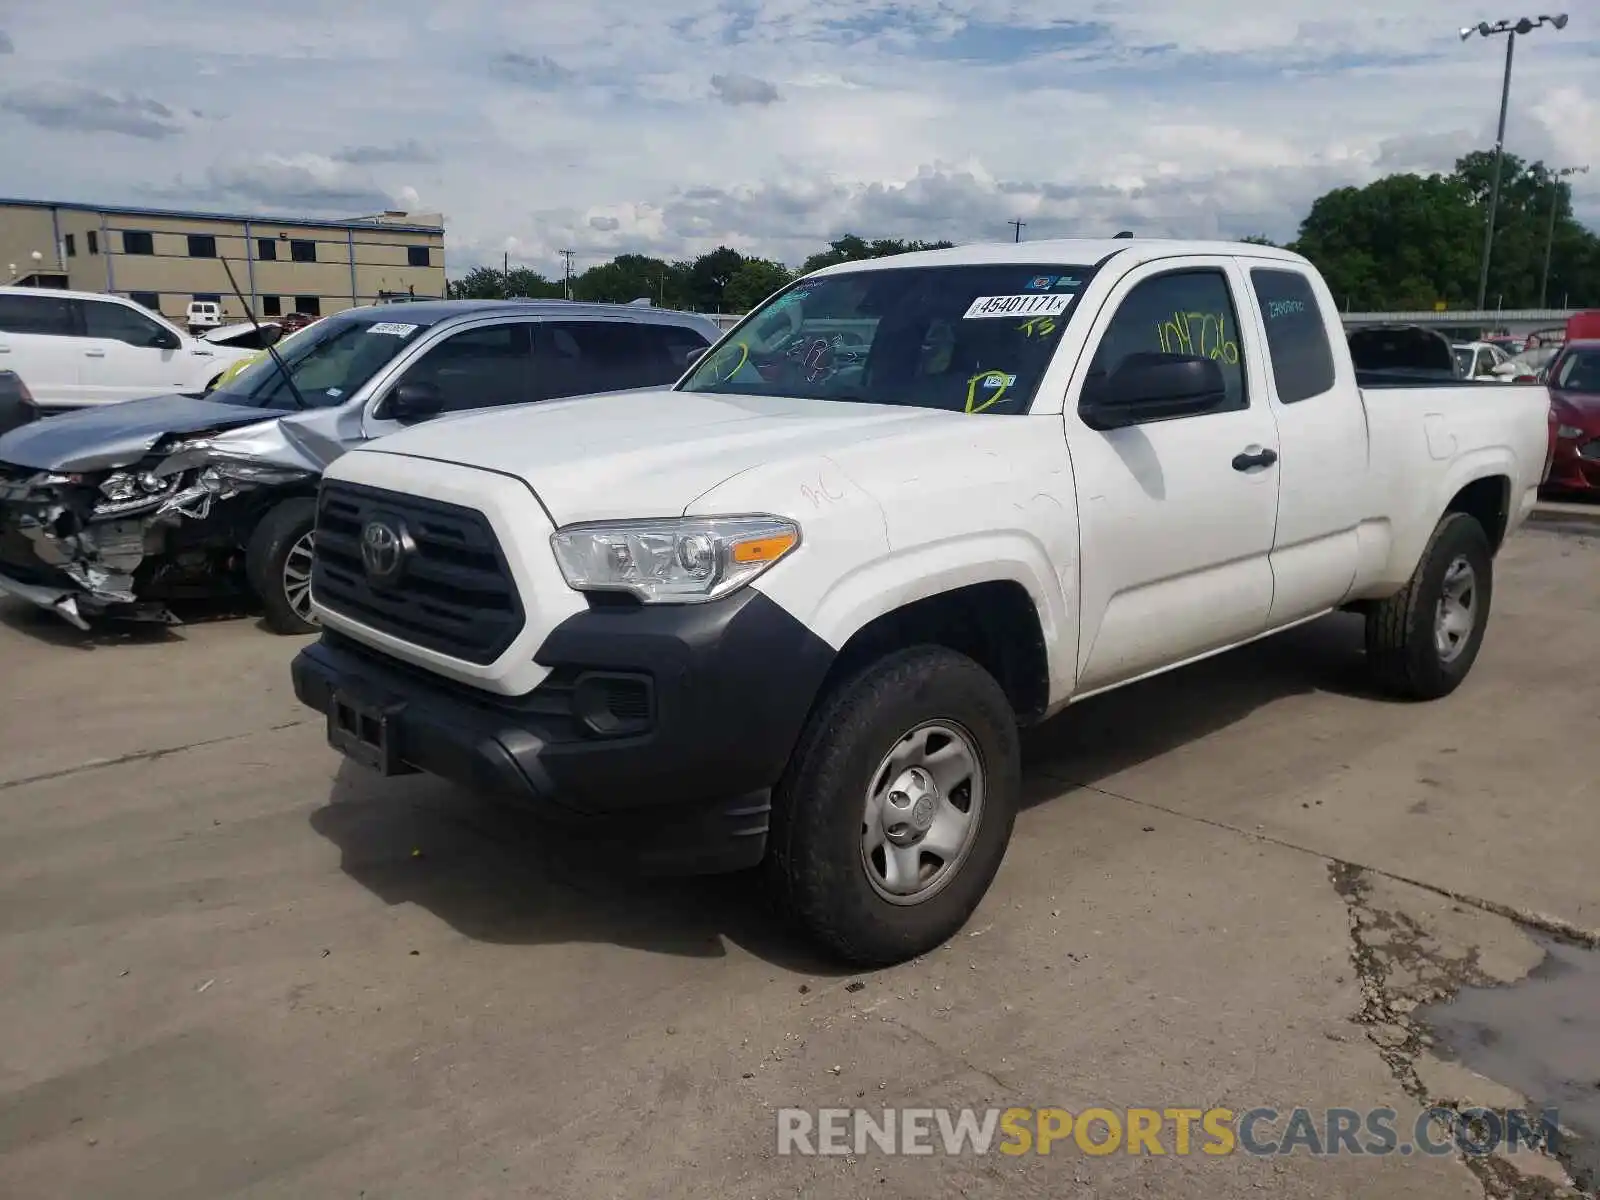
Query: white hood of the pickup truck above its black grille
[[652, 454]]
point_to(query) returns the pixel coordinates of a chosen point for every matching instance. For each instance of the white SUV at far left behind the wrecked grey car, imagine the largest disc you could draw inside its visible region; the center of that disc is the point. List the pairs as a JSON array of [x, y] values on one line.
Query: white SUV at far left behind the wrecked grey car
[[82, 348]]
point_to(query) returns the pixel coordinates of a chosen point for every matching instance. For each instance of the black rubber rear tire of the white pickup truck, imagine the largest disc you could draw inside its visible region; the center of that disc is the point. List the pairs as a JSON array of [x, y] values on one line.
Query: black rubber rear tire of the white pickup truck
[[1401, 647]]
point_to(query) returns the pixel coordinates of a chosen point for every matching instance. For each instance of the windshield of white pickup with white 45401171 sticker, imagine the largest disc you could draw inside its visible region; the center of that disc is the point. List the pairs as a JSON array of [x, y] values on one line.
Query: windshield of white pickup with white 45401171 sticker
[[967, 338]]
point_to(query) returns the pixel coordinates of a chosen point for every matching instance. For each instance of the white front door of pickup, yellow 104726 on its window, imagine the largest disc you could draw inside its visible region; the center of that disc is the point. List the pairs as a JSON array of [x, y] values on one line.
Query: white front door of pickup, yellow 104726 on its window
[[1177, 516]]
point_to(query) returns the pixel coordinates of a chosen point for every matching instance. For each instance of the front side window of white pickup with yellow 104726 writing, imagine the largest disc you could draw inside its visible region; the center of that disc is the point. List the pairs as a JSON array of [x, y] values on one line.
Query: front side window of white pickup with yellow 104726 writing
[[1186, 313]]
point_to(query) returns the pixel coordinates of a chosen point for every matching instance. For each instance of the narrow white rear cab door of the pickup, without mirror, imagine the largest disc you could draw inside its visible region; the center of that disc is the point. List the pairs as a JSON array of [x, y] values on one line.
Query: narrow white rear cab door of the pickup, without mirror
[[1322, 441]]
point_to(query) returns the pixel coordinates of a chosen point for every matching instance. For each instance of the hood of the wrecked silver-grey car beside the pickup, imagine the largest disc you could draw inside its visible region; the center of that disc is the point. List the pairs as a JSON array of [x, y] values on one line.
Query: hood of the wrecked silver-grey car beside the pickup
[[118, 436]]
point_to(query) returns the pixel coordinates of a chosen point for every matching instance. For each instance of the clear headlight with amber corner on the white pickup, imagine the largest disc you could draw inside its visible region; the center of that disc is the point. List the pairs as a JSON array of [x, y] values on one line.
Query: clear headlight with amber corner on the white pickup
[[666, 562]]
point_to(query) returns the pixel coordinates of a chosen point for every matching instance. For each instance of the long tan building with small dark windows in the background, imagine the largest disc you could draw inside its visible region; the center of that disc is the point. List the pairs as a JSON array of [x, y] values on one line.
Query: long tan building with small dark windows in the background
[[167, 258]]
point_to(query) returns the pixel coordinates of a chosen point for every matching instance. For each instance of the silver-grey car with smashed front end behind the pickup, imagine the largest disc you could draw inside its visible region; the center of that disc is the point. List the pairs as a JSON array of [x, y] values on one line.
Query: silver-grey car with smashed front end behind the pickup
[[124, 510]]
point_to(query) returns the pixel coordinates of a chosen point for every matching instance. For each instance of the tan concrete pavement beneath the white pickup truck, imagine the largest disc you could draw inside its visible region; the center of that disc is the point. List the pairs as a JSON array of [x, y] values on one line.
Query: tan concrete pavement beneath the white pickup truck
[[234, 967]]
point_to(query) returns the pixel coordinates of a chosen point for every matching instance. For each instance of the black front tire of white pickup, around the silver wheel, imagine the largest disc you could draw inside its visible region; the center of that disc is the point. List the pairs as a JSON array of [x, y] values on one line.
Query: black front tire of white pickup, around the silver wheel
[[815, 866]]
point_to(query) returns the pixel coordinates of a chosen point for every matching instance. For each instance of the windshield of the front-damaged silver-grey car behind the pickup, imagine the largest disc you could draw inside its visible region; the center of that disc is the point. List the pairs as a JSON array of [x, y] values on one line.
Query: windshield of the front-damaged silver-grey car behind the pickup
[[329, 362]]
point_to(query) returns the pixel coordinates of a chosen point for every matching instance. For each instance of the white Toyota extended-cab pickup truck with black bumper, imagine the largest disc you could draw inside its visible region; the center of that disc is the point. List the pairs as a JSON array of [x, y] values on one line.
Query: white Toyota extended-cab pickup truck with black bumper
[[796, 609]]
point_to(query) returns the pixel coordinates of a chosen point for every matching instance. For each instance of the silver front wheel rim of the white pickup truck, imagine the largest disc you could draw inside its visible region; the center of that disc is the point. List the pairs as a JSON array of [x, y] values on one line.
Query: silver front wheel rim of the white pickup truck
[[922, 812]]
